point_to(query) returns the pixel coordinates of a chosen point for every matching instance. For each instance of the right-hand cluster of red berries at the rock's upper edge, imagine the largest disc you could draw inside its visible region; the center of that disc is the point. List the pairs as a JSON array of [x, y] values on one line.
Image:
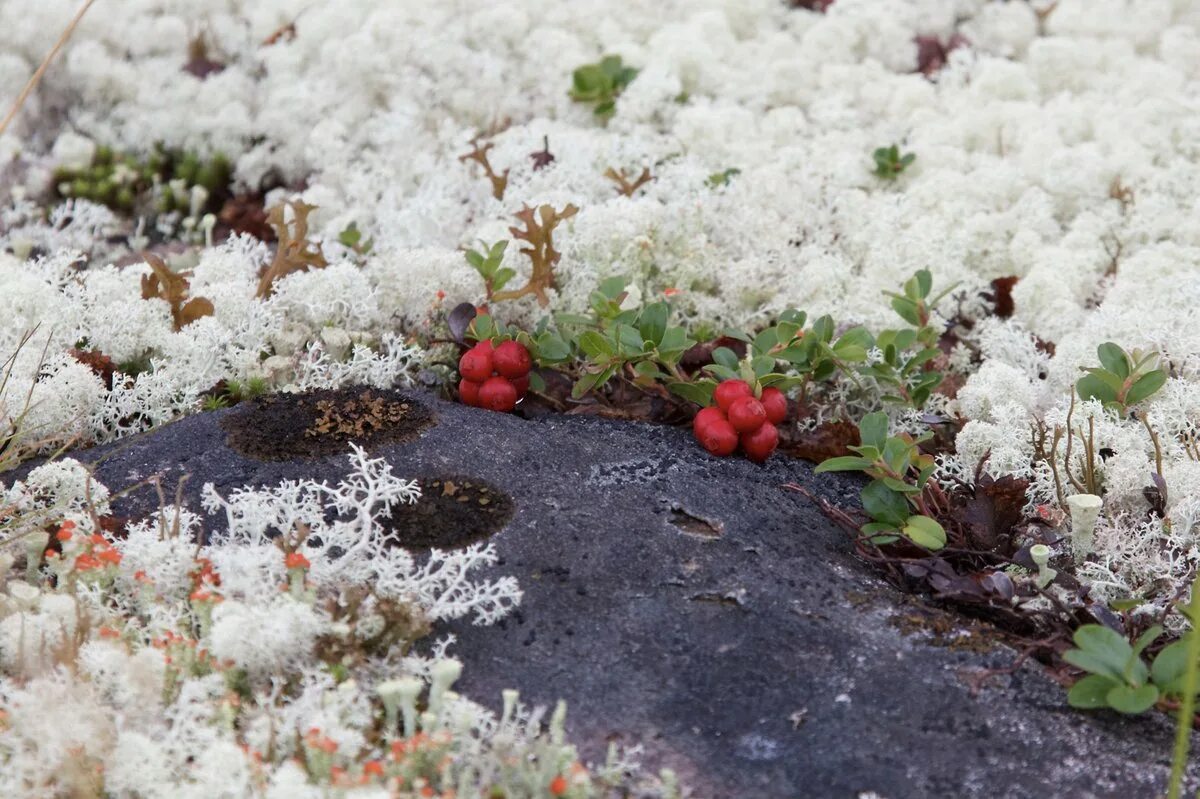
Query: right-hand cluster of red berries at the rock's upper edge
[[741, 418]]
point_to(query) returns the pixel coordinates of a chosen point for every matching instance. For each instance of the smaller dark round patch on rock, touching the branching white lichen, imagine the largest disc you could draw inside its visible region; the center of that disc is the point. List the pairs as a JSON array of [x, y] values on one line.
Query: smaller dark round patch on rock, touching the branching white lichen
[[453, 513]]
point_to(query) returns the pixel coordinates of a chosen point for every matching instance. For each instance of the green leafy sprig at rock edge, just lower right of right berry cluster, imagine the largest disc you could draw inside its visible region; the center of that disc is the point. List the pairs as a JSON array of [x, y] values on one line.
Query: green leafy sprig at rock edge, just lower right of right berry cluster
[[896, 500]]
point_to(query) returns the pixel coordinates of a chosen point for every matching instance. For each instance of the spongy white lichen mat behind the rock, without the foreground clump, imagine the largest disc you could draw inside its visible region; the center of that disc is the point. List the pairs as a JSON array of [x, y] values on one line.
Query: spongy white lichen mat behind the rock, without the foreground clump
[[1060, 146]]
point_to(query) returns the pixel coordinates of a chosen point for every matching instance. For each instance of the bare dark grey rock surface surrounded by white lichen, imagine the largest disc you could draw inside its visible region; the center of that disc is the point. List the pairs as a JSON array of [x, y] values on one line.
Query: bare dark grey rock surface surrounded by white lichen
[[689, 604]]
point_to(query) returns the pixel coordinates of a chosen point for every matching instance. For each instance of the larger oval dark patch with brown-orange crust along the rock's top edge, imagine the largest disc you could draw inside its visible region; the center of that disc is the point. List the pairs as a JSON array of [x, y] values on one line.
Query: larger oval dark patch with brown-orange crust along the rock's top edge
[[323, 423]]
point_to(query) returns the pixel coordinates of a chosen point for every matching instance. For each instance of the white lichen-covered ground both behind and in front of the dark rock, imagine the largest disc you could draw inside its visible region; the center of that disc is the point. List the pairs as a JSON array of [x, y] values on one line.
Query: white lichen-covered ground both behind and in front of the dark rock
[[1054, 188]]
